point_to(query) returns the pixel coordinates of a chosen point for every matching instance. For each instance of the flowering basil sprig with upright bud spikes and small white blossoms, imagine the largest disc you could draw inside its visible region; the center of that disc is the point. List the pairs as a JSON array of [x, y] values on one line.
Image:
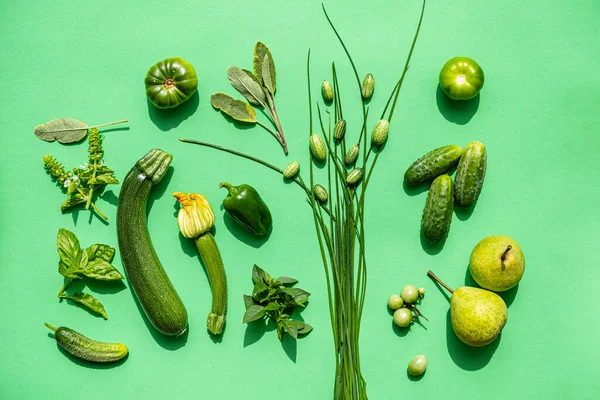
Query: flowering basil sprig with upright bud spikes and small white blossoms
[[85, 180]]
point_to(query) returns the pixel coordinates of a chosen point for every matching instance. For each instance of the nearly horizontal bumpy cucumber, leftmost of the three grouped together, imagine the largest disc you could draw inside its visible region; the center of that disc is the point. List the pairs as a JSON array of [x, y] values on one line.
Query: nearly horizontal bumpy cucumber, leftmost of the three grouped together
[[433, 164]]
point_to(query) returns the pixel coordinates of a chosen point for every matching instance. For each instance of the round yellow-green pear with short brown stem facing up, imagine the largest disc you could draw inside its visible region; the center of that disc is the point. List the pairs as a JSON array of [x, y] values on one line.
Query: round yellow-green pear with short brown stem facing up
[[497, 263]]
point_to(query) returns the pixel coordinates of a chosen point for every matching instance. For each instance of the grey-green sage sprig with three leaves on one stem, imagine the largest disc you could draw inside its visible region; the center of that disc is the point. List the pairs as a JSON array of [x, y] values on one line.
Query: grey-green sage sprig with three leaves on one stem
[[258, 88]]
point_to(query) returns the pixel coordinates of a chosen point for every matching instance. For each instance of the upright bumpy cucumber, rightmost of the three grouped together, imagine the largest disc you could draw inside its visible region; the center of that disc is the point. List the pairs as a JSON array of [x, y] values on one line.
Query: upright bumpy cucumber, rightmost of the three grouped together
[[470, 174]]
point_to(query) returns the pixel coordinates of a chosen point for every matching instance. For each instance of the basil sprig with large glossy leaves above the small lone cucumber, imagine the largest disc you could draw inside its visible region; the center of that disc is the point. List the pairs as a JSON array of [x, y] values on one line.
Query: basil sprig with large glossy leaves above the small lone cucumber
[[92, 262]]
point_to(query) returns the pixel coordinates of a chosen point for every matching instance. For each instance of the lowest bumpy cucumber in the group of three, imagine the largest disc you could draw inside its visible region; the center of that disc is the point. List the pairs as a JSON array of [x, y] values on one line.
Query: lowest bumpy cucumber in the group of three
[[437, 214]]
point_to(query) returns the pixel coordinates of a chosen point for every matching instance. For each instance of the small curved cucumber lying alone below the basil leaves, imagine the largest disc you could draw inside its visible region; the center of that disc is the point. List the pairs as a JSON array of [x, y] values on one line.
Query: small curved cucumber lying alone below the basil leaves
[[87, 349]]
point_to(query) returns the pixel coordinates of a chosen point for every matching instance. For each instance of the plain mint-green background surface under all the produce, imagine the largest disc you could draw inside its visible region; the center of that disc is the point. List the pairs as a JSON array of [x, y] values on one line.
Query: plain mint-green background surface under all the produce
[[537, 114]]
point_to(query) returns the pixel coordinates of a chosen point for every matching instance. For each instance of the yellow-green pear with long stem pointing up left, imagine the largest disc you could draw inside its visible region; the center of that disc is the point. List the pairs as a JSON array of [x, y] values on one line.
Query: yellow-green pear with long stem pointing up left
[[477, 315]]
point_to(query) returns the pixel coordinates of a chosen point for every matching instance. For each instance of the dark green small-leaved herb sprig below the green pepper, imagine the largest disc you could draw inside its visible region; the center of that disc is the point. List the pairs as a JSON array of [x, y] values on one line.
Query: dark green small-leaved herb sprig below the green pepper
[[275, 299]]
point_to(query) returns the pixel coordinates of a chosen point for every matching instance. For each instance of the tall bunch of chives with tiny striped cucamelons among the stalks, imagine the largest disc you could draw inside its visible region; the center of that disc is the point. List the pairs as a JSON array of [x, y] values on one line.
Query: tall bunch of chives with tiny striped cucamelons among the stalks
[[341, 226]]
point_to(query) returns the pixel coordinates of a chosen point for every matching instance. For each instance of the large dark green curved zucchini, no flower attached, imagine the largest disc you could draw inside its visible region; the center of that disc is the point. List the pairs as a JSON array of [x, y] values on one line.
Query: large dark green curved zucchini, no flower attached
[[151, 285]]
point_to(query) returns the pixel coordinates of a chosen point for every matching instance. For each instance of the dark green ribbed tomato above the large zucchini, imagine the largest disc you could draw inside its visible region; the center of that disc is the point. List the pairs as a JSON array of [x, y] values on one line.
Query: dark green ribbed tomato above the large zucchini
[[170, 82]]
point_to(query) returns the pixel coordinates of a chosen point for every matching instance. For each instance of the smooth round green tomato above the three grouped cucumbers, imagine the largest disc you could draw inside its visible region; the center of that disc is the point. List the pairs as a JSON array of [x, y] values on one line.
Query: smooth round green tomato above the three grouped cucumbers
[[461, 78]]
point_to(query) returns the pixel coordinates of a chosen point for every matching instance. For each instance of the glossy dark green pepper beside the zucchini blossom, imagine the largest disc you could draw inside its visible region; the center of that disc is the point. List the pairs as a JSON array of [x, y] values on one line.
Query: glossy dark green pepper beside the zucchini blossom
[[246, 207]]
